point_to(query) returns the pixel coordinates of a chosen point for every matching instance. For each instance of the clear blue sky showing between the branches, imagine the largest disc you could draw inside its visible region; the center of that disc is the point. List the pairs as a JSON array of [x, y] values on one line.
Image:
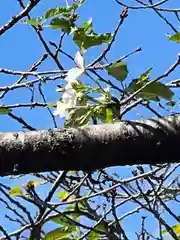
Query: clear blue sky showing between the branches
[[20, 48]]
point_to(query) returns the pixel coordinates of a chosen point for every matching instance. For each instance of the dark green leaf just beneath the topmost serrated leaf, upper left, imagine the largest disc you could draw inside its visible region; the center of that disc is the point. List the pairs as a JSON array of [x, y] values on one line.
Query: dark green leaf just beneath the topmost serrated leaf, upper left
[[61, 23]]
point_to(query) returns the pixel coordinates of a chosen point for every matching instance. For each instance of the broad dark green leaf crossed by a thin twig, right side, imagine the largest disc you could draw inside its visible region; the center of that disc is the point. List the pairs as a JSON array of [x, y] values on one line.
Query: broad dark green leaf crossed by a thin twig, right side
[[154, 91]]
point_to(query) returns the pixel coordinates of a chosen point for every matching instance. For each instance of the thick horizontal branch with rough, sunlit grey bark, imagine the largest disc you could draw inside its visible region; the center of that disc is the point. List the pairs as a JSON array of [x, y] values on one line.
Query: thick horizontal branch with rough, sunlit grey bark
[[90, 148]]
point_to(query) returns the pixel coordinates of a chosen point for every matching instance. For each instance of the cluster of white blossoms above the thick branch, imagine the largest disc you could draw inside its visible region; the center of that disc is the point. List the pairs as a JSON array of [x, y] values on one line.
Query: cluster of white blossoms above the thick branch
[[69, 97]]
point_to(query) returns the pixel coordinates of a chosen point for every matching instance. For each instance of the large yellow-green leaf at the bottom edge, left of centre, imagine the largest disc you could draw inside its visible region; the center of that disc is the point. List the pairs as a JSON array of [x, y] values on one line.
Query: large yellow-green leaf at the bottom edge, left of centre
[[60, 233]]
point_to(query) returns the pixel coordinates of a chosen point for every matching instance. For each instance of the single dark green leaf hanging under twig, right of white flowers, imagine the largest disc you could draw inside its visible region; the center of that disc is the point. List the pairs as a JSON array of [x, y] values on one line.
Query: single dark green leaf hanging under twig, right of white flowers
[[118, 70]]
